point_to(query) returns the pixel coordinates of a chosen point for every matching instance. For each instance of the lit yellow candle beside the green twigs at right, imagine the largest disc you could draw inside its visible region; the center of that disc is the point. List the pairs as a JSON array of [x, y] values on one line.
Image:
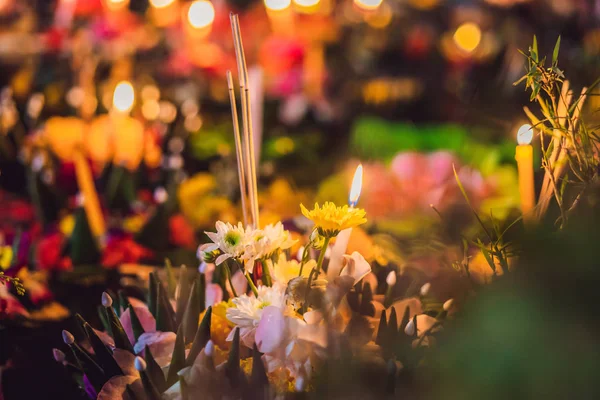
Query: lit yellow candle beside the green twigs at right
[[524, 157]]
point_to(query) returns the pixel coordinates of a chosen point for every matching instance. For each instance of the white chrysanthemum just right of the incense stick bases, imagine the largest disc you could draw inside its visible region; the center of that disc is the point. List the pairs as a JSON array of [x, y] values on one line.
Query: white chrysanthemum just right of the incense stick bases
[[265, 243]]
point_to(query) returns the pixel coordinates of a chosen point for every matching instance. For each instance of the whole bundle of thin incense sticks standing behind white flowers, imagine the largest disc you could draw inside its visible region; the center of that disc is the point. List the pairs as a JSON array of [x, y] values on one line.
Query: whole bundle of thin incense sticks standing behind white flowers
[[244, 145]]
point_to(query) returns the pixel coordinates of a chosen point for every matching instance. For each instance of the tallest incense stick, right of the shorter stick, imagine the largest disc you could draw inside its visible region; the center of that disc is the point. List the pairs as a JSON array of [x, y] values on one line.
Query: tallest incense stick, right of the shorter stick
[[248, 142]]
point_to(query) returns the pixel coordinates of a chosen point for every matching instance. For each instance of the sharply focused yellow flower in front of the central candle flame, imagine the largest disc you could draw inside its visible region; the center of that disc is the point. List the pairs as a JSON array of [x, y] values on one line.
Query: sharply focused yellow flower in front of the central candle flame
[[331, 219]]
